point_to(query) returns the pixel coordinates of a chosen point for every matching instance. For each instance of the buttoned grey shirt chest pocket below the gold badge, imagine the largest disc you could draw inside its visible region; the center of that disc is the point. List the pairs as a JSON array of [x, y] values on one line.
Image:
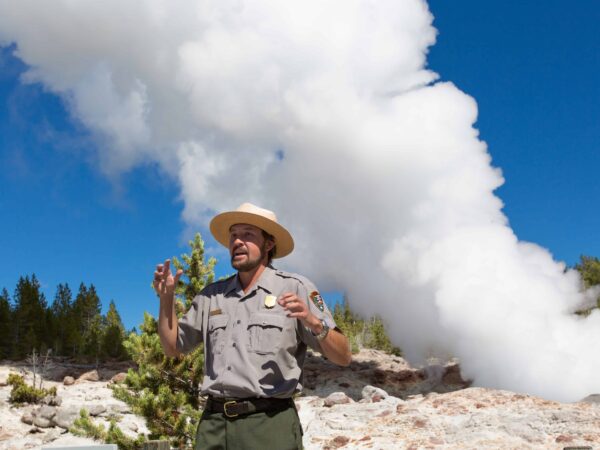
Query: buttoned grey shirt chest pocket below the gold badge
[[265, 333]]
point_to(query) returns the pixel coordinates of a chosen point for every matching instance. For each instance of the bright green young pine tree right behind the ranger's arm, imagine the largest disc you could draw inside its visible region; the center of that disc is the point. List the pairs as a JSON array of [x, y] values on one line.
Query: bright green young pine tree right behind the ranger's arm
[[165, 390]]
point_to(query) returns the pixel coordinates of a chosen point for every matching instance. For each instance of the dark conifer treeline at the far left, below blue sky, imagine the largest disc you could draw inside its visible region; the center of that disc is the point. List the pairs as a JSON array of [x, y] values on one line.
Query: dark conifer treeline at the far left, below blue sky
[[71, 326]]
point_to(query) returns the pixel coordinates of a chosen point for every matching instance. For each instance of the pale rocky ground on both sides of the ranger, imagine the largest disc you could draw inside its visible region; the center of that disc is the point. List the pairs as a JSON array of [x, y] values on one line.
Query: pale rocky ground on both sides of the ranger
[[379, 402]]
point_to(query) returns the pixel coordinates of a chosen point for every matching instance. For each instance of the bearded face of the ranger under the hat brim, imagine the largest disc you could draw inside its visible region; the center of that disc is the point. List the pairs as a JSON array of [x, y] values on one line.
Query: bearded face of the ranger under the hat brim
[[247, 247]]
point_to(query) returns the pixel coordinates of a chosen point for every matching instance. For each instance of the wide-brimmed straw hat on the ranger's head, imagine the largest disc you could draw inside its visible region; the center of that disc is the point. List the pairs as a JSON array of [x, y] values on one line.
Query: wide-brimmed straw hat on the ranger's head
[[251, 214]]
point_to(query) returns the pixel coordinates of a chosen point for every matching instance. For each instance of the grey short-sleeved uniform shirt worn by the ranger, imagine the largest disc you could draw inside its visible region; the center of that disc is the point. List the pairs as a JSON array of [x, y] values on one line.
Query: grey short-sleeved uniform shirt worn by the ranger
[[252, 350]]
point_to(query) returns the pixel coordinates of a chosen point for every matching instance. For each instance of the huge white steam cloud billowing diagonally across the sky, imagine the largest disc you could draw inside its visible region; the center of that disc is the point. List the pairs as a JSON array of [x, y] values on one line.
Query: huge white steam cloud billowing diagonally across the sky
[[325, 112]]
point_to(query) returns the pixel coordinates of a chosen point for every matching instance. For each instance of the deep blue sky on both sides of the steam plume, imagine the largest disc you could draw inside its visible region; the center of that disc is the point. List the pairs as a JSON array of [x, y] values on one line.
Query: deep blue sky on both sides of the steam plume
[[533, 72]]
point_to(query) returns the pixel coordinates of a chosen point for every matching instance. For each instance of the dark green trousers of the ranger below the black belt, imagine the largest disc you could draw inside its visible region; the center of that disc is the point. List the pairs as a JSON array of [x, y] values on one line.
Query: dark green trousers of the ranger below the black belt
[[279, 430]]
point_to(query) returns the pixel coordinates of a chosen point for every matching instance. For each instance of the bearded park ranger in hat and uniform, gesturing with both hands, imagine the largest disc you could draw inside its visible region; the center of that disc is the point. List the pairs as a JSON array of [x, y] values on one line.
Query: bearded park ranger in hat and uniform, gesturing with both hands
[[256, 326]]
